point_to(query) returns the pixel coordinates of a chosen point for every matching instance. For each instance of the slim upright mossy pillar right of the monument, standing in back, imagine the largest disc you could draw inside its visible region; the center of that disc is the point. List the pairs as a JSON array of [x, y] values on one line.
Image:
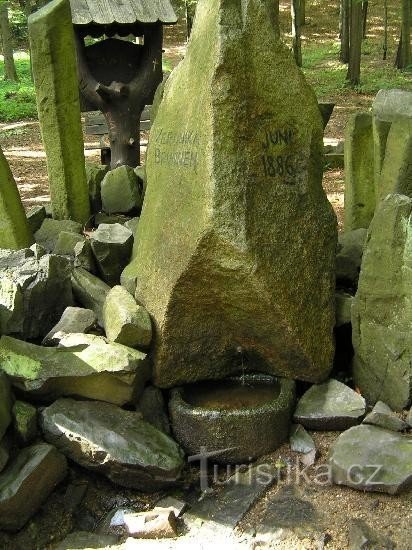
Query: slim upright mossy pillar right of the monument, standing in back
[[359, 172]]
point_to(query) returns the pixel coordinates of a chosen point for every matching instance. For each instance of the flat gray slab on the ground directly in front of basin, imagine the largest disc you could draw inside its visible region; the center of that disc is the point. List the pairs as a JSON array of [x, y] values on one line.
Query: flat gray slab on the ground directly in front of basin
[[236, 497]]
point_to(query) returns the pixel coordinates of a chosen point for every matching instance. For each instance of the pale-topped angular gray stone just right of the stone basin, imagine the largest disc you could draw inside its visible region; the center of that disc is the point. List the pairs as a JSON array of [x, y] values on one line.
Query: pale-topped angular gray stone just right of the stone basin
[[330, 406]]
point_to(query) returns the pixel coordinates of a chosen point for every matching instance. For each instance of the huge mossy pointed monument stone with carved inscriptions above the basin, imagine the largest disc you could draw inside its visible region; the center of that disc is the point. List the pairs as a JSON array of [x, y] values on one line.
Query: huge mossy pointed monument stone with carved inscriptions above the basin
[[237, 239]]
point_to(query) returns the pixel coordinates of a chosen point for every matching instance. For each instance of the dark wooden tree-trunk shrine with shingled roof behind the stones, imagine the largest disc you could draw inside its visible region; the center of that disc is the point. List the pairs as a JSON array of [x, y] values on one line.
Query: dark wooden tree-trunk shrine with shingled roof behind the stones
[[118, 77]]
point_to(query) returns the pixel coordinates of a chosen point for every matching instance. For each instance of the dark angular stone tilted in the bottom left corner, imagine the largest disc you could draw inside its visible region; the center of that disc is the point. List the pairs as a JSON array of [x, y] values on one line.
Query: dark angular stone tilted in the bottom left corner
[[27, 482]]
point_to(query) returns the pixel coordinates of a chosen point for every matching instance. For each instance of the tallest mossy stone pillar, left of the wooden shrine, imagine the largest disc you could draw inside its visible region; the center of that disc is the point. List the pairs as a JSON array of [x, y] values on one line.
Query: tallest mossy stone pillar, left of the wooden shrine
[[57, 89]]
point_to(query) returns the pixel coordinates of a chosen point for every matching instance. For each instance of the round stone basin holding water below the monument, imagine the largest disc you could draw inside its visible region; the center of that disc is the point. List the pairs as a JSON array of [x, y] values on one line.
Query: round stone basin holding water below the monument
[[235, 420]]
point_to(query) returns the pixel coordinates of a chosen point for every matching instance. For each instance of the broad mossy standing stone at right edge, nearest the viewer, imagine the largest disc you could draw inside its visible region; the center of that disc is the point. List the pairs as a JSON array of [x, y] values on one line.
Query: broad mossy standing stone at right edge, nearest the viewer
[[382, 310]]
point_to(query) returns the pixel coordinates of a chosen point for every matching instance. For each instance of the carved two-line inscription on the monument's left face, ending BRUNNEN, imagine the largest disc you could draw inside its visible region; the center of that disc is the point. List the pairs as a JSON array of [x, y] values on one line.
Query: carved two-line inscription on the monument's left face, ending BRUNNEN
[[177, 149]]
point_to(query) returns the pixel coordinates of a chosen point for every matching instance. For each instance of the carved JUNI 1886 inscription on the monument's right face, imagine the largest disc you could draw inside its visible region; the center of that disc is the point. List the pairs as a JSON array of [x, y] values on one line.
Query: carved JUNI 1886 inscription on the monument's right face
[[280, 158]]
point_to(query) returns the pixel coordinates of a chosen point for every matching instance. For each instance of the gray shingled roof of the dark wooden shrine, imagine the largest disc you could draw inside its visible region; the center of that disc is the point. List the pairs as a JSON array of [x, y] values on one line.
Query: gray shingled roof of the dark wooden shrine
[[121, 12]]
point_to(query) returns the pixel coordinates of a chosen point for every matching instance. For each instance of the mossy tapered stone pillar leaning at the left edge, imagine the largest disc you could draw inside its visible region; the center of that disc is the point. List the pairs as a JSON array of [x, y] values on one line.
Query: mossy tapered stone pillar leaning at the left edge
[[14, 228]]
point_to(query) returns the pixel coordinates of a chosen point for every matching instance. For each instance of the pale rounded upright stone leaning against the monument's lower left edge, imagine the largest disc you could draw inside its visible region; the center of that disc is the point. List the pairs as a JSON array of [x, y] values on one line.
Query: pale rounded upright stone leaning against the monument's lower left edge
[[125, 321]]
